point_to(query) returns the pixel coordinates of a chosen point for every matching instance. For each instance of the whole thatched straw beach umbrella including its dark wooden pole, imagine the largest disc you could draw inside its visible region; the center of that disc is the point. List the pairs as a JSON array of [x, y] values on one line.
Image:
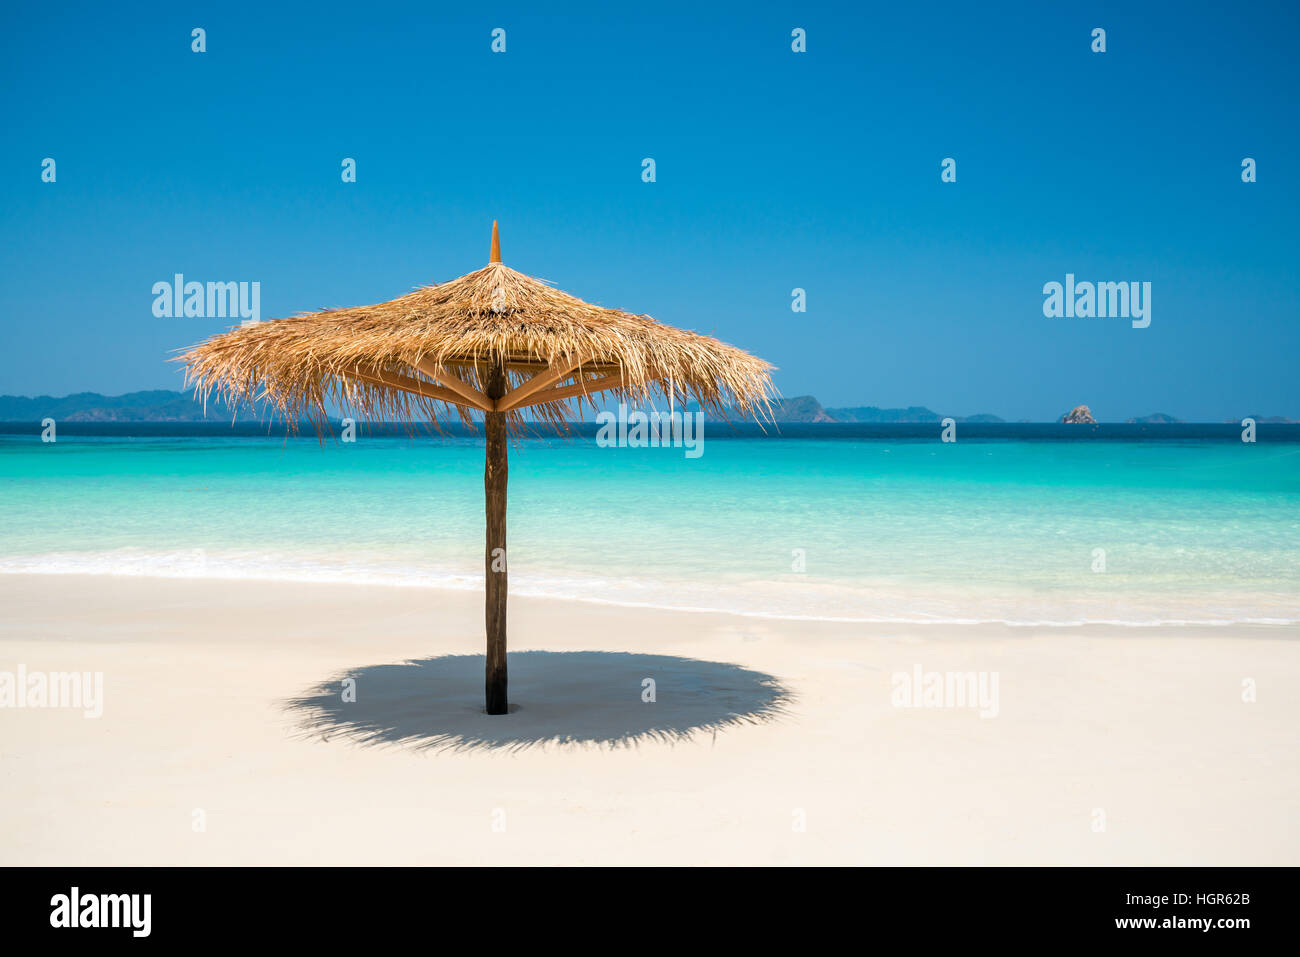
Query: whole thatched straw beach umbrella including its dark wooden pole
[[495, 343]]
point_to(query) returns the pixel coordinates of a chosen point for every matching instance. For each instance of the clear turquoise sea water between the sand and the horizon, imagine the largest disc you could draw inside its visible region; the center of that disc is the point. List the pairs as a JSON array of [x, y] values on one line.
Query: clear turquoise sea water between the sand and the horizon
[[857, 523]]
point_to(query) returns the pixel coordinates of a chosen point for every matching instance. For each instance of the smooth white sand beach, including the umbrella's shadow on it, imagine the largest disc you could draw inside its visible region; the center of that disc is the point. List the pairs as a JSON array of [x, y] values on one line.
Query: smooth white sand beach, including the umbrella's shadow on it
[[1110, 746]]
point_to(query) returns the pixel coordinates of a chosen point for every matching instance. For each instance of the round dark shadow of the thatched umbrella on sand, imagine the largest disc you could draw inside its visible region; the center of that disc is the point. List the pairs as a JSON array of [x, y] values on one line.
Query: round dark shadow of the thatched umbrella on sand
[[583, 699]]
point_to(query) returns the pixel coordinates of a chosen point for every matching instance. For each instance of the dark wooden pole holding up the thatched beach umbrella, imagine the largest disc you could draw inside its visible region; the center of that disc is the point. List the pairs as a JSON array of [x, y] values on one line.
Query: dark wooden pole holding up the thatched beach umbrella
[[495, 488]]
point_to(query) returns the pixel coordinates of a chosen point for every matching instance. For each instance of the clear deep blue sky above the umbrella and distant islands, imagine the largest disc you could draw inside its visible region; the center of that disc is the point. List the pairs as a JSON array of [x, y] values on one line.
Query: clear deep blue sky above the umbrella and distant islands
[[775, 171]]
